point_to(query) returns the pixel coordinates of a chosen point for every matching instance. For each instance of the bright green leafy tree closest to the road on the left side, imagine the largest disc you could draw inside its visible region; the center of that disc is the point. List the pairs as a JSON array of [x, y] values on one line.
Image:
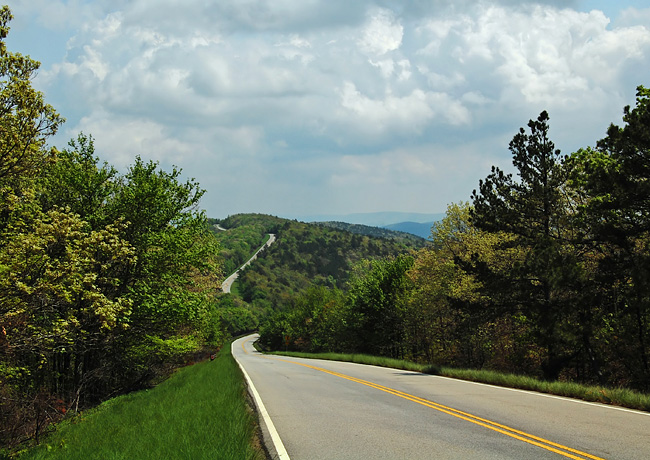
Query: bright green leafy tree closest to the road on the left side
[[173, 283]]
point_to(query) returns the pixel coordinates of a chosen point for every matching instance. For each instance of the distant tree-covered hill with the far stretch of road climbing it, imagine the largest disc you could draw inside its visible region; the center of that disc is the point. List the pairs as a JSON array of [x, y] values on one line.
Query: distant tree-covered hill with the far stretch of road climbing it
[[303, 255]]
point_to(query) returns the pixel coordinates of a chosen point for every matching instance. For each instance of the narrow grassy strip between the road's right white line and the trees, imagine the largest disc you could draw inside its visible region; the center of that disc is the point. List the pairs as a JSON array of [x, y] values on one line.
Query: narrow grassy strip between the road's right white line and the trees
[[615, 396]]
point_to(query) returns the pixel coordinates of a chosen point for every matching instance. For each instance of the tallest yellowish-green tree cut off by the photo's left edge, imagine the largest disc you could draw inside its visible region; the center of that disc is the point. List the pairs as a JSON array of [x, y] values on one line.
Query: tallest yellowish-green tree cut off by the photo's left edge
[[26, 121]]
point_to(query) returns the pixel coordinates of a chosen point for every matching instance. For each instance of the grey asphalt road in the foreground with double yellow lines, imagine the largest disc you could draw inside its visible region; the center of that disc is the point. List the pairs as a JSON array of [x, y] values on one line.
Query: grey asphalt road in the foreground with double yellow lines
[[331, 410]]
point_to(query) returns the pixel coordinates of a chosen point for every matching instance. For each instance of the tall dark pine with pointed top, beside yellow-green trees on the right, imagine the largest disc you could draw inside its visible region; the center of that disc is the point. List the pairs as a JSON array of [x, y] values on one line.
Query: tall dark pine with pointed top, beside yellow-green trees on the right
[[534, 210]]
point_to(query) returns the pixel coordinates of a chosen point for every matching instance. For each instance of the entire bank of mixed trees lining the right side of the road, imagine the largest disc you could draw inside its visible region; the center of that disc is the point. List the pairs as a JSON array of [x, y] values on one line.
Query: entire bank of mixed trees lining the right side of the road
[[545, 272]]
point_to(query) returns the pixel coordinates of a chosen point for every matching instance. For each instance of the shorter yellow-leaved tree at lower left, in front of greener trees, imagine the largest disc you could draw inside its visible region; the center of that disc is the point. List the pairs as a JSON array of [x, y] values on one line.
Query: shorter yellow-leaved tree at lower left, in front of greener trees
[[58, 303]]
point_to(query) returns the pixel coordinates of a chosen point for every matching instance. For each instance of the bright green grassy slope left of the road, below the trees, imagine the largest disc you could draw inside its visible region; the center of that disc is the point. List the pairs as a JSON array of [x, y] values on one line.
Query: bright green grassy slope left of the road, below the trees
[[198, 413]]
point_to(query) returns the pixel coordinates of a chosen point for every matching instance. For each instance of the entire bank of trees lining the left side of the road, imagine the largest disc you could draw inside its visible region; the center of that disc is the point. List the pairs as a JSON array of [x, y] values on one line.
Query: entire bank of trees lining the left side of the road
[[108, 281]]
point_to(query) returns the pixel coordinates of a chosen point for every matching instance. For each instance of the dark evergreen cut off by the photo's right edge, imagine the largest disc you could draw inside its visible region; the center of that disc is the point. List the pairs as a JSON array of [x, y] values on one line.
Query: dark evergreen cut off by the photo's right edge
[[615, 180]]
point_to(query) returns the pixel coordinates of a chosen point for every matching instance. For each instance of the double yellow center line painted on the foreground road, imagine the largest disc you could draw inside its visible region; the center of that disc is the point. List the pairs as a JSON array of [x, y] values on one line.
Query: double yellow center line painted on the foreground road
[[564, 451]]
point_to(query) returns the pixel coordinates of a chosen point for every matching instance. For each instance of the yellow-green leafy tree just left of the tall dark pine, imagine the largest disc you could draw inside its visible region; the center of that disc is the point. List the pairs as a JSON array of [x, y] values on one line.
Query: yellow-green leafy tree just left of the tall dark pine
[[449, 308]]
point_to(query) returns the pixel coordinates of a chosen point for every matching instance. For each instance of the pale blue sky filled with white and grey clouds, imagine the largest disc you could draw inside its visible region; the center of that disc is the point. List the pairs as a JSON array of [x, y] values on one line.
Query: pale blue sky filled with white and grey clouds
[[303, 107]]
